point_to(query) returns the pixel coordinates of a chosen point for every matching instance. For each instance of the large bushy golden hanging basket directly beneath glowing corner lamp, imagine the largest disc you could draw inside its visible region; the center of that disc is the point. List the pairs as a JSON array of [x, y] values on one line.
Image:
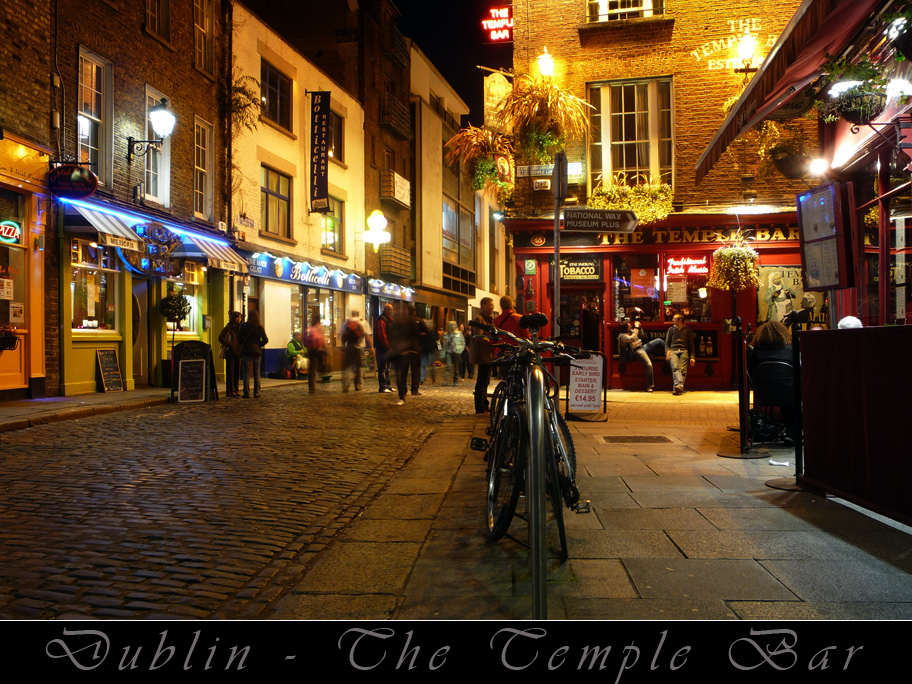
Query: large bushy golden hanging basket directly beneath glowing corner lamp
[[543, 117]]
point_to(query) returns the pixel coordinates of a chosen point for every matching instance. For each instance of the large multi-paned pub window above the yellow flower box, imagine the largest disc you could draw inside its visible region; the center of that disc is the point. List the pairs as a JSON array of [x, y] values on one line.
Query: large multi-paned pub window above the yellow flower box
[[631, 131]]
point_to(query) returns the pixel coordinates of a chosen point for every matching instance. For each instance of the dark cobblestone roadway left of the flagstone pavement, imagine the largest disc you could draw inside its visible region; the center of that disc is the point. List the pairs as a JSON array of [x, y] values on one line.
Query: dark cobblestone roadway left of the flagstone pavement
[[196, 510]]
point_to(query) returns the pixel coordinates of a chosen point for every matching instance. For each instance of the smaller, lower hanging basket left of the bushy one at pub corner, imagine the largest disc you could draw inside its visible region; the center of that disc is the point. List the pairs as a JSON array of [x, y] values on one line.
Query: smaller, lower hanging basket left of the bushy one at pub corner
[[476, 148]]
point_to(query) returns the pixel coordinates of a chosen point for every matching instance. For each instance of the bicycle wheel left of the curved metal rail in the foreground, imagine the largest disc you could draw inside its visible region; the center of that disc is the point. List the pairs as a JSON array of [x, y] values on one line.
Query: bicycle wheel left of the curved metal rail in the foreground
[[506, 473]]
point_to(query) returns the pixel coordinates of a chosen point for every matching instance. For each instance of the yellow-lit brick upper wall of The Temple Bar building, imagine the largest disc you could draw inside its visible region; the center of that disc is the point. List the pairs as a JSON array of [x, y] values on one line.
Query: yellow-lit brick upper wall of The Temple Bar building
[[697, 46]]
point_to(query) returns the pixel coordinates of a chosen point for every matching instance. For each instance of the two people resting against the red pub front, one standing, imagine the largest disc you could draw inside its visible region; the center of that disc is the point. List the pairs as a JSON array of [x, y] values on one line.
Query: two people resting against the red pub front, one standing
[[677, 347]]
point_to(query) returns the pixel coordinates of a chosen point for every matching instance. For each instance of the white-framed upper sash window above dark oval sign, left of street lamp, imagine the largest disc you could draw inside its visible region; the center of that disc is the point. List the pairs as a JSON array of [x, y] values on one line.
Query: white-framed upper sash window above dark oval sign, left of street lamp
[[93, 116]]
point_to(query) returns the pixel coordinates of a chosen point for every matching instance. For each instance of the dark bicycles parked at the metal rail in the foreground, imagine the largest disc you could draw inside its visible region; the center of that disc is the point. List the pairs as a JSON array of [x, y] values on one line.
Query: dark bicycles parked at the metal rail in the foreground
[[524, 417]]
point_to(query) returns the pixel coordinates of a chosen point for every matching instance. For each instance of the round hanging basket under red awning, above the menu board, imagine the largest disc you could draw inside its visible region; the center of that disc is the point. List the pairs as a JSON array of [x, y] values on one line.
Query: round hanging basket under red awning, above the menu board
[[859, 92]]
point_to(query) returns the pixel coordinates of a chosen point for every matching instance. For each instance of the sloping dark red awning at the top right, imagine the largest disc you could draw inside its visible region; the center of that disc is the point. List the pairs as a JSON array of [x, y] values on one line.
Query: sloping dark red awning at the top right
[[818, 28]]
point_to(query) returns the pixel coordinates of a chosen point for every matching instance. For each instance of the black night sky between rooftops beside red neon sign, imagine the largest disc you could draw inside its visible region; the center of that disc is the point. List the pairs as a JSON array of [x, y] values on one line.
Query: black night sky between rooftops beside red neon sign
[[450, 34]]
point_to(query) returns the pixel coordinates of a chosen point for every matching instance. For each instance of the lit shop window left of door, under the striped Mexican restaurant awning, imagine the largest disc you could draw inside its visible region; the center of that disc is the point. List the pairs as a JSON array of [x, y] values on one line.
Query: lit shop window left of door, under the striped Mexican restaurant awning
[[93, 279]]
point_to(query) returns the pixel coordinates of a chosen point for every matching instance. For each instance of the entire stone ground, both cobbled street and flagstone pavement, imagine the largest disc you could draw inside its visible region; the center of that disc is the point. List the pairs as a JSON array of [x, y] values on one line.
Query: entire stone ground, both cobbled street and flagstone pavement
[[676, 531]]
